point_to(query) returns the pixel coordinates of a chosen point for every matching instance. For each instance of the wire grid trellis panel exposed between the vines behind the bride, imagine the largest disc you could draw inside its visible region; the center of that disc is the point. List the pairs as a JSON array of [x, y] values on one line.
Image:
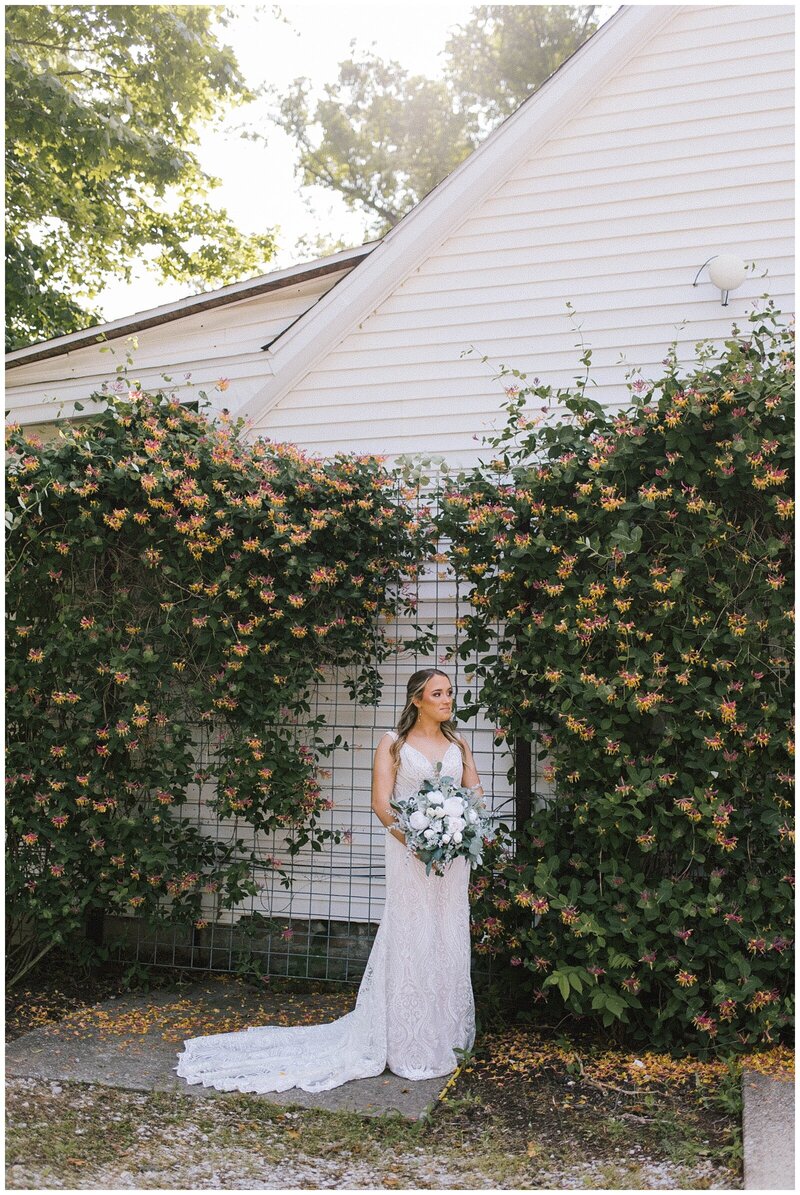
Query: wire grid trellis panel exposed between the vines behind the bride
[[322, 926]]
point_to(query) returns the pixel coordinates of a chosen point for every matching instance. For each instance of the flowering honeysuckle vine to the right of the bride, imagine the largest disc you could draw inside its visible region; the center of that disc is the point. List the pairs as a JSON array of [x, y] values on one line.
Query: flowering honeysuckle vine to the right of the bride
[[639, 567]]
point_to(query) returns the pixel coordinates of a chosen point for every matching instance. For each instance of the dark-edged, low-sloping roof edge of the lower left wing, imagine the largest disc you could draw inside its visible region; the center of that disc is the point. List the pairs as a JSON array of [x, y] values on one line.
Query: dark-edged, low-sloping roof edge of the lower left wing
[[264, 284]]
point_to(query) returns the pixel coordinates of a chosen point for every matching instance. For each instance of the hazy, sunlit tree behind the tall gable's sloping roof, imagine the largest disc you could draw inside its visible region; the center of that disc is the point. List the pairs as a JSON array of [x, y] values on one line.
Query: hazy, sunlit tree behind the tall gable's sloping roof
[[389, 138]]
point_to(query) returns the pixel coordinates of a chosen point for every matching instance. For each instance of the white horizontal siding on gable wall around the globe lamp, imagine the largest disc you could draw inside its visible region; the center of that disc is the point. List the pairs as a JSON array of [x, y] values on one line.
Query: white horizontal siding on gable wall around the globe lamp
[[686, 152]]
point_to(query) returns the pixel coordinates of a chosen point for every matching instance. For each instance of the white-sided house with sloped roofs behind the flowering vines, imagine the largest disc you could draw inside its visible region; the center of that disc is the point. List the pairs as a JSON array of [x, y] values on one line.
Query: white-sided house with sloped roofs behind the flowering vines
[[665, 140]]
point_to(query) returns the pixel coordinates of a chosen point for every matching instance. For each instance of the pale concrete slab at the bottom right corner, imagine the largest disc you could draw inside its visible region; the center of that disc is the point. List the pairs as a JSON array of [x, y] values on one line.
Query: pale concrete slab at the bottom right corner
[[768, 1132]]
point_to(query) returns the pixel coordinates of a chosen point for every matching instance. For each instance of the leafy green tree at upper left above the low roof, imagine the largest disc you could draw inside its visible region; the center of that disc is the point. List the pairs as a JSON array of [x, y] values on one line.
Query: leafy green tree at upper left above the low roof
[[103, 107]]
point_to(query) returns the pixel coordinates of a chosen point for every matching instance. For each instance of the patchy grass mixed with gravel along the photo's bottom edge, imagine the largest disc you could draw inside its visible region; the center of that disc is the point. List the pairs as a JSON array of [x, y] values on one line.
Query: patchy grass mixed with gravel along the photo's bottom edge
[[88, 1135]]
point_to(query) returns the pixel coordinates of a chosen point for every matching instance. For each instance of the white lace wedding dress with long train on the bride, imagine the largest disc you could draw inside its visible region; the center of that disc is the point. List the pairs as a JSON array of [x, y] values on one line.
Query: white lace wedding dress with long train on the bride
[[416, 1001]]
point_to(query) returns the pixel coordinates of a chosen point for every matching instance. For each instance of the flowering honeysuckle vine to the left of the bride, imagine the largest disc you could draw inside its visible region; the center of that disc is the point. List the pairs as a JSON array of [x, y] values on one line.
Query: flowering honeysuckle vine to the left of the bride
[[168, 580]]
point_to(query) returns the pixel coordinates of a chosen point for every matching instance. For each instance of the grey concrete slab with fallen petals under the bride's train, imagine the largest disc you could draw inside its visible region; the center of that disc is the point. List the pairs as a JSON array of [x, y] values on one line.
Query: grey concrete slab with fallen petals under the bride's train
[[132, 1043]]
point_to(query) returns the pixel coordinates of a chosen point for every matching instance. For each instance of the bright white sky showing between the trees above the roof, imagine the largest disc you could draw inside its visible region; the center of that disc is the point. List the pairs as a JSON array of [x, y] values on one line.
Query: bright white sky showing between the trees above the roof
[[260, 189]]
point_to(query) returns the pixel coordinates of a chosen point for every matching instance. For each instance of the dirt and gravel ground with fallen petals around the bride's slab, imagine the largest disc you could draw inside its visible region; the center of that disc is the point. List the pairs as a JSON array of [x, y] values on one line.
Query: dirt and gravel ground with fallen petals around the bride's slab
[[529, 1111]]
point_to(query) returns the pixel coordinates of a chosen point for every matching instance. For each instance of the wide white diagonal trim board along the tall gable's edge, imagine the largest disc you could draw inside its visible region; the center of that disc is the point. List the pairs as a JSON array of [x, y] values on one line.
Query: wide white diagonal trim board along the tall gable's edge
[[306, 344]]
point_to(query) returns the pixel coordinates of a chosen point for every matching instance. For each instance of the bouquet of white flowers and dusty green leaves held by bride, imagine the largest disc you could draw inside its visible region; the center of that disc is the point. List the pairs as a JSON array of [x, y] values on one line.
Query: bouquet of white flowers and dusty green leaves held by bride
[[443, 822]]
